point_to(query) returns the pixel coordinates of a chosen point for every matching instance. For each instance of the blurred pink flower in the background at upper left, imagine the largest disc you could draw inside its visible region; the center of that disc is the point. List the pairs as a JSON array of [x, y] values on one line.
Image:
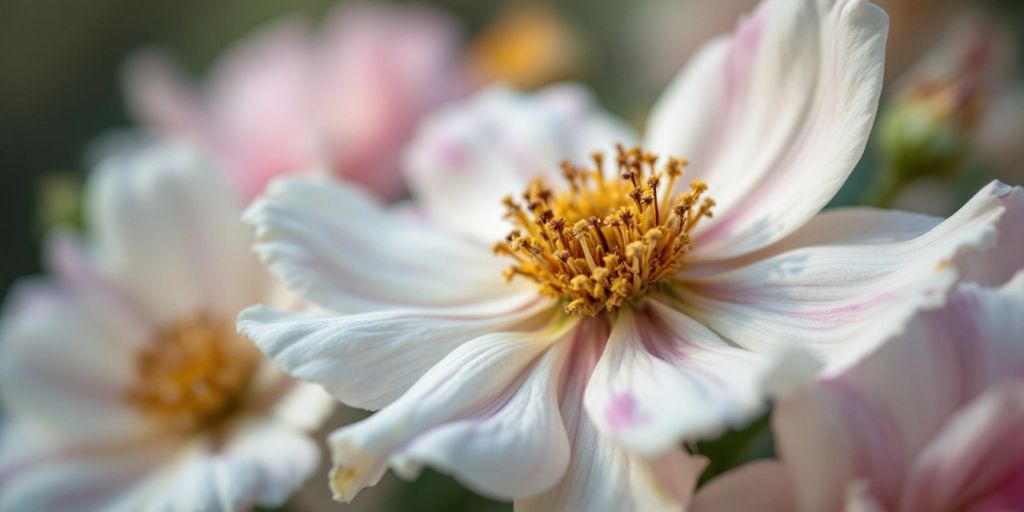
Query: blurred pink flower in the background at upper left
[[286, 100]]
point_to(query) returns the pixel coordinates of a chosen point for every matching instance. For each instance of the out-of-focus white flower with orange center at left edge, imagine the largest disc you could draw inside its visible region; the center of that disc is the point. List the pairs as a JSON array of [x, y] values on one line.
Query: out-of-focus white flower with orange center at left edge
[[124, 386]]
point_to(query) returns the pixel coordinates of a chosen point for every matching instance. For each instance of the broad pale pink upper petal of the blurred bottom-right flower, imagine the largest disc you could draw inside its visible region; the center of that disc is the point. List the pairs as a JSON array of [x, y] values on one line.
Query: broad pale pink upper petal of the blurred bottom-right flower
[[876, 419]]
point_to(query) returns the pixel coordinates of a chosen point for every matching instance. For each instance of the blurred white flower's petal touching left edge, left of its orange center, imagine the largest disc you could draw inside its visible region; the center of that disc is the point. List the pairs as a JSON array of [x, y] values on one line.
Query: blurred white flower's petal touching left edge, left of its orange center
[[66, 363]]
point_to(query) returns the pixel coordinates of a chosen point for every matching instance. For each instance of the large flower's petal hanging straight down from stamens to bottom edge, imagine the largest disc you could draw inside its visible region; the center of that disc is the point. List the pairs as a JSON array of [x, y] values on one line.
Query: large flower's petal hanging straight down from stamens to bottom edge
[[603, 477]]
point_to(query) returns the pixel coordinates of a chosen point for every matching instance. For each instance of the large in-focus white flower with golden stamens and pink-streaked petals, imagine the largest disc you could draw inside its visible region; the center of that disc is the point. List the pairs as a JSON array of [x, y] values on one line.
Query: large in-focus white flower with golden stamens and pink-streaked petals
[[571, 387]]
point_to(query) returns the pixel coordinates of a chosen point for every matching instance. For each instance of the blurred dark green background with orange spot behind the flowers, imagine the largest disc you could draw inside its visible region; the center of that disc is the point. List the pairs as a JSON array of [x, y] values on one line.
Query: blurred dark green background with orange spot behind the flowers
[[60, 90]]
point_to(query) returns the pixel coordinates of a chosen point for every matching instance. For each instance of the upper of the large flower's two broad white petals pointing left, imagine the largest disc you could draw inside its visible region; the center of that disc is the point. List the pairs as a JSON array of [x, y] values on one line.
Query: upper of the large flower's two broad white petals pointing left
[[338, 248]]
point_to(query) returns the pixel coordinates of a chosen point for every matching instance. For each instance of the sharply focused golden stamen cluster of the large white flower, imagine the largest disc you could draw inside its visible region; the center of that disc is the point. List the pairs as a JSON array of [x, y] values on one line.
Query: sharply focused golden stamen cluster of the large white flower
[[605, 241]]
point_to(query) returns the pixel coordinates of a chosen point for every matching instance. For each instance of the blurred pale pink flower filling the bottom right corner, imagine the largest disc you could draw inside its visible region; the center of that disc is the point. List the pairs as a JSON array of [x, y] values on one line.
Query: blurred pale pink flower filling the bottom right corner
[[931, 422]]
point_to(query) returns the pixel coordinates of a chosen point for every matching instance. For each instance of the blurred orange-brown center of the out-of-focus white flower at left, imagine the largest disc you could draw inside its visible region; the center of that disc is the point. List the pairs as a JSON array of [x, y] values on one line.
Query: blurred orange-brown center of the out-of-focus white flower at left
[[194, 374]]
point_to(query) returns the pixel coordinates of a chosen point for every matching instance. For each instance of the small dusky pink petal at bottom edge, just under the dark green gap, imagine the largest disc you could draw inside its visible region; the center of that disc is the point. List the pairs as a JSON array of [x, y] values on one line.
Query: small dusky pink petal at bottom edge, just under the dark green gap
[[764, 486]]
